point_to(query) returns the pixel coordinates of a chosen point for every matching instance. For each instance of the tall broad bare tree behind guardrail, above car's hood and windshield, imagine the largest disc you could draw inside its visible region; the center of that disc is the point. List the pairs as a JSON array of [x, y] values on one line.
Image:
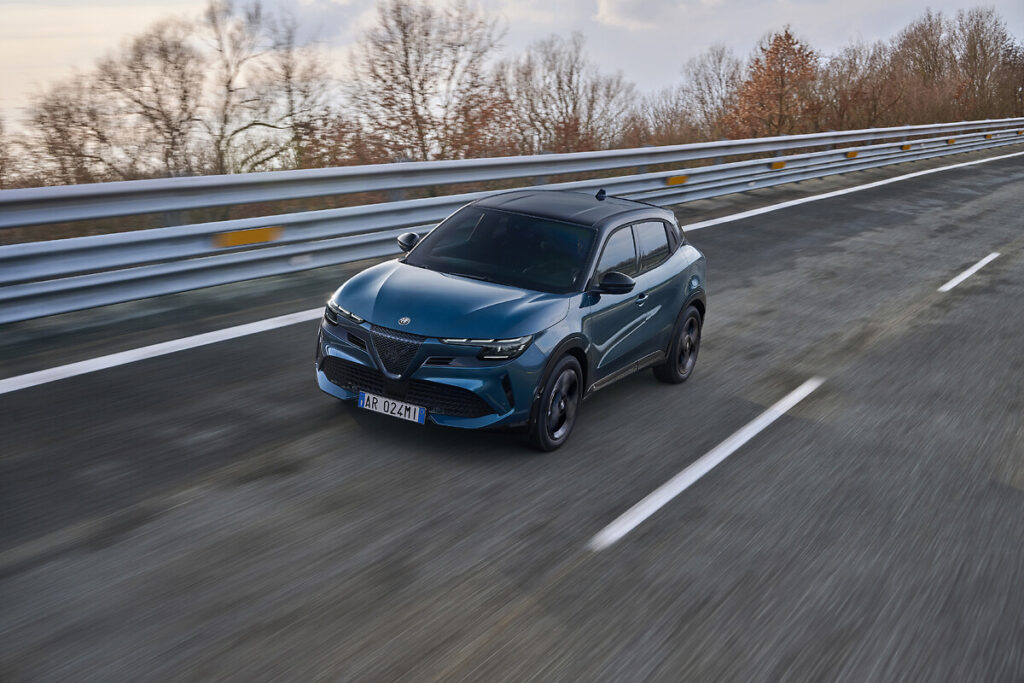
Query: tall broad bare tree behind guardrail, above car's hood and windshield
[[420, 83]]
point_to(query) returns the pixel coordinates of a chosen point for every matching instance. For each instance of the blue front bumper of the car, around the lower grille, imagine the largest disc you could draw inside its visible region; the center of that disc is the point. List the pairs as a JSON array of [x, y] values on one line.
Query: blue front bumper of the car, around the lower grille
[[463, 393]]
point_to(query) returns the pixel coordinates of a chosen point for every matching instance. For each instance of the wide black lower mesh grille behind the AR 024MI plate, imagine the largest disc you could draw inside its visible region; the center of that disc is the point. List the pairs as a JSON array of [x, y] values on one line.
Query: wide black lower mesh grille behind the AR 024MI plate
[[437, 398]]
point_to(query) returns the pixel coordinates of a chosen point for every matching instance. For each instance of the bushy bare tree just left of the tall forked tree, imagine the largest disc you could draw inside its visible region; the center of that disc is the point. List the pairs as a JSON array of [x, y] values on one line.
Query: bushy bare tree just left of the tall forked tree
[[158, 80]]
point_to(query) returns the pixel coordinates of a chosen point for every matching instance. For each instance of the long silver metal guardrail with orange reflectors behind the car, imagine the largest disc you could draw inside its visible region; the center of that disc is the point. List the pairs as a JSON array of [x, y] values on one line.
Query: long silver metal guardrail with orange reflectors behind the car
[[47, 278]]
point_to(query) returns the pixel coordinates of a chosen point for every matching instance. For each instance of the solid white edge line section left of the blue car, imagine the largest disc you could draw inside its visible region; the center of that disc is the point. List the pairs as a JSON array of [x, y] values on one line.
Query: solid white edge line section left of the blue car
[[132, 356]]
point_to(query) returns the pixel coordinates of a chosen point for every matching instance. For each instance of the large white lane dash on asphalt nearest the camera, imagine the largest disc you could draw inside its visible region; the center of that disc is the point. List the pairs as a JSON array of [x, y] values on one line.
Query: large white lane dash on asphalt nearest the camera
[[677, 485]]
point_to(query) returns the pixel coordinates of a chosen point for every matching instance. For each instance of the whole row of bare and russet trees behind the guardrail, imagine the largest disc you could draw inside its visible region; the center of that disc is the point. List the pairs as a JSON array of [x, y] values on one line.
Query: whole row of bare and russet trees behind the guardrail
[[237, 92]]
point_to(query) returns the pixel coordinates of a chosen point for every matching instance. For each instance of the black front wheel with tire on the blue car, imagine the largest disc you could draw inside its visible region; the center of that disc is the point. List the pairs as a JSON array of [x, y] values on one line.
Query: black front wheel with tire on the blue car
[[559, 406]]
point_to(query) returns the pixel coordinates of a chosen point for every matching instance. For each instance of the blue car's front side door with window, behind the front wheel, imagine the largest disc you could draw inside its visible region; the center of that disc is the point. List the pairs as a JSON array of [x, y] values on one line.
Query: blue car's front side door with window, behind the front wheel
[[613, 322]]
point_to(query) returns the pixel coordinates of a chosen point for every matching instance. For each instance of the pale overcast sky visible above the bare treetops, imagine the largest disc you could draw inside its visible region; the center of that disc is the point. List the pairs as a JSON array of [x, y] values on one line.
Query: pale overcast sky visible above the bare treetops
[[648, 40]]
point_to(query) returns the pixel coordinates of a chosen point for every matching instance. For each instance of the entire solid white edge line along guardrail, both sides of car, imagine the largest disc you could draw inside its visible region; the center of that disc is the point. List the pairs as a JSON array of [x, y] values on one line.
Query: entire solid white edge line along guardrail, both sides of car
[[103, 363]]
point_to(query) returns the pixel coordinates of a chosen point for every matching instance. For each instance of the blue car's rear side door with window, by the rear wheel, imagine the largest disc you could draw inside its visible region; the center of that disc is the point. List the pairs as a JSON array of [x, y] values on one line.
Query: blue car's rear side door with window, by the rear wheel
[[658, 290]]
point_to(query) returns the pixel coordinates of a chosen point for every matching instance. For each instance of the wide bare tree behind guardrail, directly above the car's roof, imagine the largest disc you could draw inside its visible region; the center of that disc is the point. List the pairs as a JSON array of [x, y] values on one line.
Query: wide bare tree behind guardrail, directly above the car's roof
[[560, 102]]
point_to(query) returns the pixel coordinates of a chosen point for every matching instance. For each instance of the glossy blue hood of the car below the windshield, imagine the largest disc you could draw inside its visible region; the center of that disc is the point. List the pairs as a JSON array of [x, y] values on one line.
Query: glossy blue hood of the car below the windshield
[[443, 306]]
